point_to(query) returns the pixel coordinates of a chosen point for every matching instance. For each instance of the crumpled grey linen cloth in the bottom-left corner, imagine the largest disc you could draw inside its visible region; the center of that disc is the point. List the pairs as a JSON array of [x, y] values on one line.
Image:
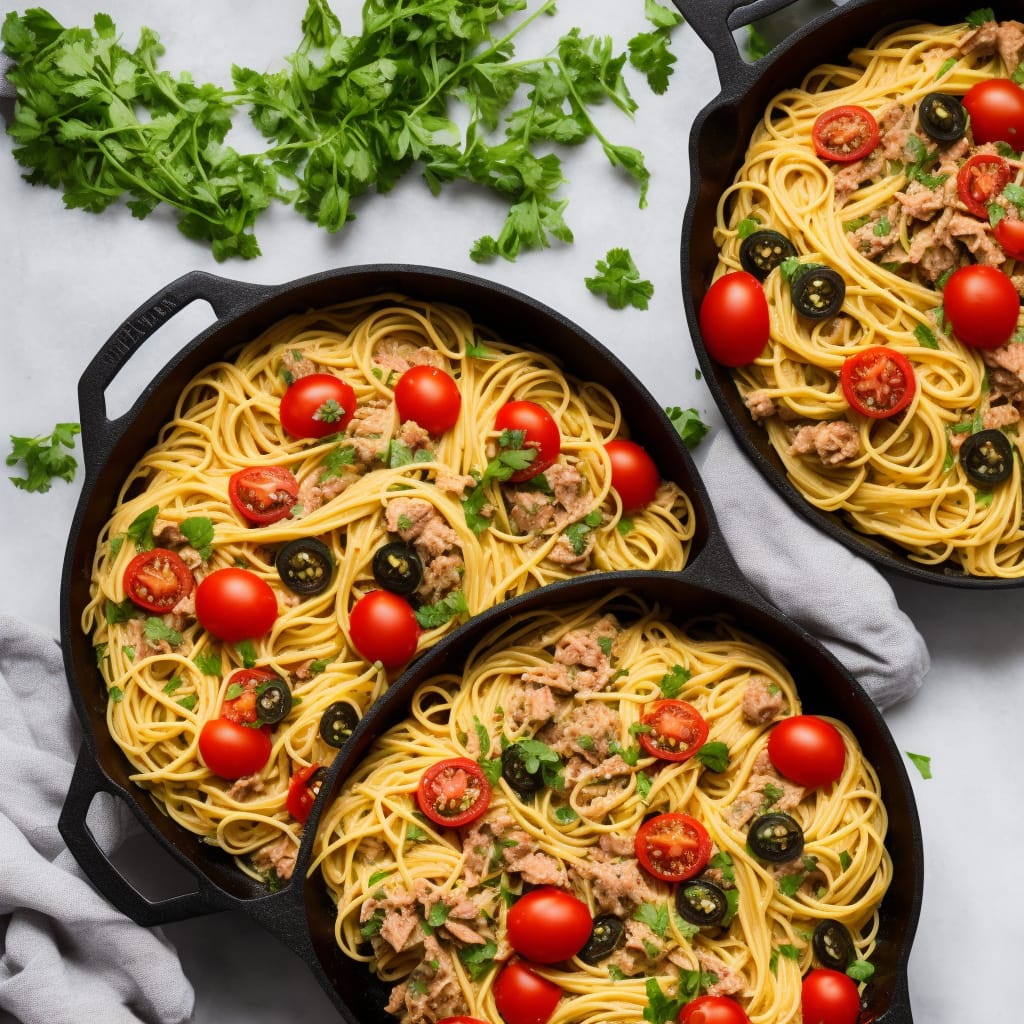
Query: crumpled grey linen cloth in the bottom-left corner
[[67, 957]]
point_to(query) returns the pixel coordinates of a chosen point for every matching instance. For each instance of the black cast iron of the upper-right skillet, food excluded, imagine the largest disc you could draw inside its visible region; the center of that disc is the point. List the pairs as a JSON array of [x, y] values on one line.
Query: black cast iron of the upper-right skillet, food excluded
[[718, 143]]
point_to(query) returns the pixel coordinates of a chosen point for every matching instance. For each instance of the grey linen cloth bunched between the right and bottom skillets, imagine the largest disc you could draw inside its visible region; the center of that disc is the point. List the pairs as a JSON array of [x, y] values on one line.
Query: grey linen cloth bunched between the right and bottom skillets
[[834, 594]]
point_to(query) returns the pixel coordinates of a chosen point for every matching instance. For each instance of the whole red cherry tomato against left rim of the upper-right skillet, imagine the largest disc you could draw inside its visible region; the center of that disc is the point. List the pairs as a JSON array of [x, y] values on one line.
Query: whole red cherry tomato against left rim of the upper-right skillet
[[735, 321]]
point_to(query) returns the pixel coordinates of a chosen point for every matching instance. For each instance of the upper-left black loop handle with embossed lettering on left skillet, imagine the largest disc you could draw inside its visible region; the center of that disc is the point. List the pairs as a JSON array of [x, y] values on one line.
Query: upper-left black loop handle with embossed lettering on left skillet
[[227, 297]]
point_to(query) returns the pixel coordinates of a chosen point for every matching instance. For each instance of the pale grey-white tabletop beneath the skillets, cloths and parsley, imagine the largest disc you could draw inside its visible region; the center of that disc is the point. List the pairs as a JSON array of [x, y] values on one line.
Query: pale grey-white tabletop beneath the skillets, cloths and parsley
[[68, 280]]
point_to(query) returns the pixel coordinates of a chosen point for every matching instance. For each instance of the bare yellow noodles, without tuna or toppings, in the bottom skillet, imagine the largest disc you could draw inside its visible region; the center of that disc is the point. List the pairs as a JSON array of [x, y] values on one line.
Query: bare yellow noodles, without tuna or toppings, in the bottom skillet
[[372, 838]]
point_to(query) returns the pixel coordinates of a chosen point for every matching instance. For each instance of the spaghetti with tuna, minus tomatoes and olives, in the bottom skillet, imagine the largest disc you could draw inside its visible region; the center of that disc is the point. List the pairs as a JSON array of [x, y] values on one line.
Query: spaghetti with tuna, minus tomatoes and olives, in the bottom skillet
[[428, 906]]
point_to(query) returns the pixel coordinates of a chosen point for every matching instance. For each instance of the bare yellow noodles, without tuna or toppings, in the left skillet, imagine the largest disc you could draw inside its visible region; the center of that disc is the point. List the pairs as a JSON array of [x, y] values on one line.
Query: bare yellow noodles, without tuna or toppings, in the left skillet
[[226, 420]]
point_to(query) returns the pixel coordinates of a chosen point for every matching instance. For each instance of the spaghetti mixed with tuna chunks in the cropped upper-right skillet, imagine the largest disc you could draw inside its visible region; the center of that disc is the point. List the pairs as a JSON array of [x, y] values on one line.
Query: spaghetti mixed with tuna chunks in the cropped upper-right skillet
[[895, 224]]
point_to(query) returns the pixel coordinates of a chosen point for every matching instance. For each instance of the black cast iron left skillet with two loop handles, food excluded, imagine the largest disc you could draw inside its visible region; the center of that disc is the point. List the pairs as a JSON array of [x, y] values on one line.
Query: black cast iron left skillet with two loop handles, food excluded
[[112, 447]]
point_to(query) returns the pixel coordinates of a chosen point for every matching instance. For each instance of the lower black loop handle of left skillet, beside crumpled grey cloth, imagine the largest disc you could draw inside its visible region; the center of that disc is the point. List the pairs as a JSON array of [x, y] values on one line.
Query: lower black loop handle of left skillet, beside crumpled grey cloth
[[88, 782]]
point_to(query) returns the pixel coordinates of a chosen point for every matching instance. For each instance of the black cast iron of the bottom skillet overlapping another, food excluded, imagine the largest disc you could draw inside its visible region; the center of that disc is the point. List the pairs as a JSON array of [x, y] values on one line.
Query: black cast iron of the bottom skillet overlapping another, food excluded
[[825, 689]]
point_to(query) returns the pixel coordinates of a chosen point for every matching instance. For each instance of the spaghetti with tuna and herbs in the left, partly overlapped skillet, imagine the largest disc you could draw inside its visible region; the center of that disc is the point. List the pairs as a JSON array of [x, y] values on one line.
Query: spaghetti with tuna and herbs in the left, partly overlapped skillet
[[378, 481]]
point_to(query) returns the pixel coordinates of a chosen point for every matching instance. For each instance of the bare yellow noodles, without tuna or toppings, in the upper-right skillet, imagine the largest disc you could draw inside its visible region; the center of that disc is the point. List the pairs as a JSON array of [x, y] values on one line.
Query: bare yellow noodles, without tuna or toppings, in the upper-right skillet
[[906, 486]]
